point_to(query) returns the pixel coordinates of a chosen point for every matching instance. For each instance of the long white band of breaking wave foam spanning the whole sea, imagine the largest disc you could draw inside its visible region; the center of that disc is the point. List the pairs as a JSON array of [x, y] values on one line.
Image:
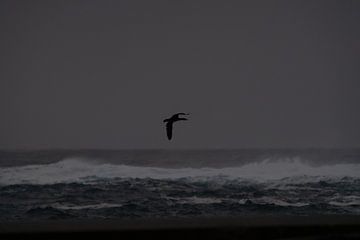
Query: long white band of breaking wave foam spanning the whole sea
[[81, 170]]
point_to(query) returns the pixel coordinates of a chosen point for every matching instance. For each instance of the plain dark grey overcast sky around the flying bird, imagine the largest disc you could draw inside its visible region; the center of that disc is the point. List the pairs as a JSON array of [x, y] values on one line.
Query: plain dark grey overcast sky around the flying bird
[[104, 74]]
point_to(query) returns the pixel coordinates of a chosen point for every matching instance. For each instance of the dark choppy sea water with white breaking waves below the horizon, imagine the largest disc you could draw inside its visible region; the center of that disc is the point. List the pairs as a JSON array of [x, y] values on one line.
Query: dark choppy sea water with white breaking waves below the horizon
[[103, 184]]
